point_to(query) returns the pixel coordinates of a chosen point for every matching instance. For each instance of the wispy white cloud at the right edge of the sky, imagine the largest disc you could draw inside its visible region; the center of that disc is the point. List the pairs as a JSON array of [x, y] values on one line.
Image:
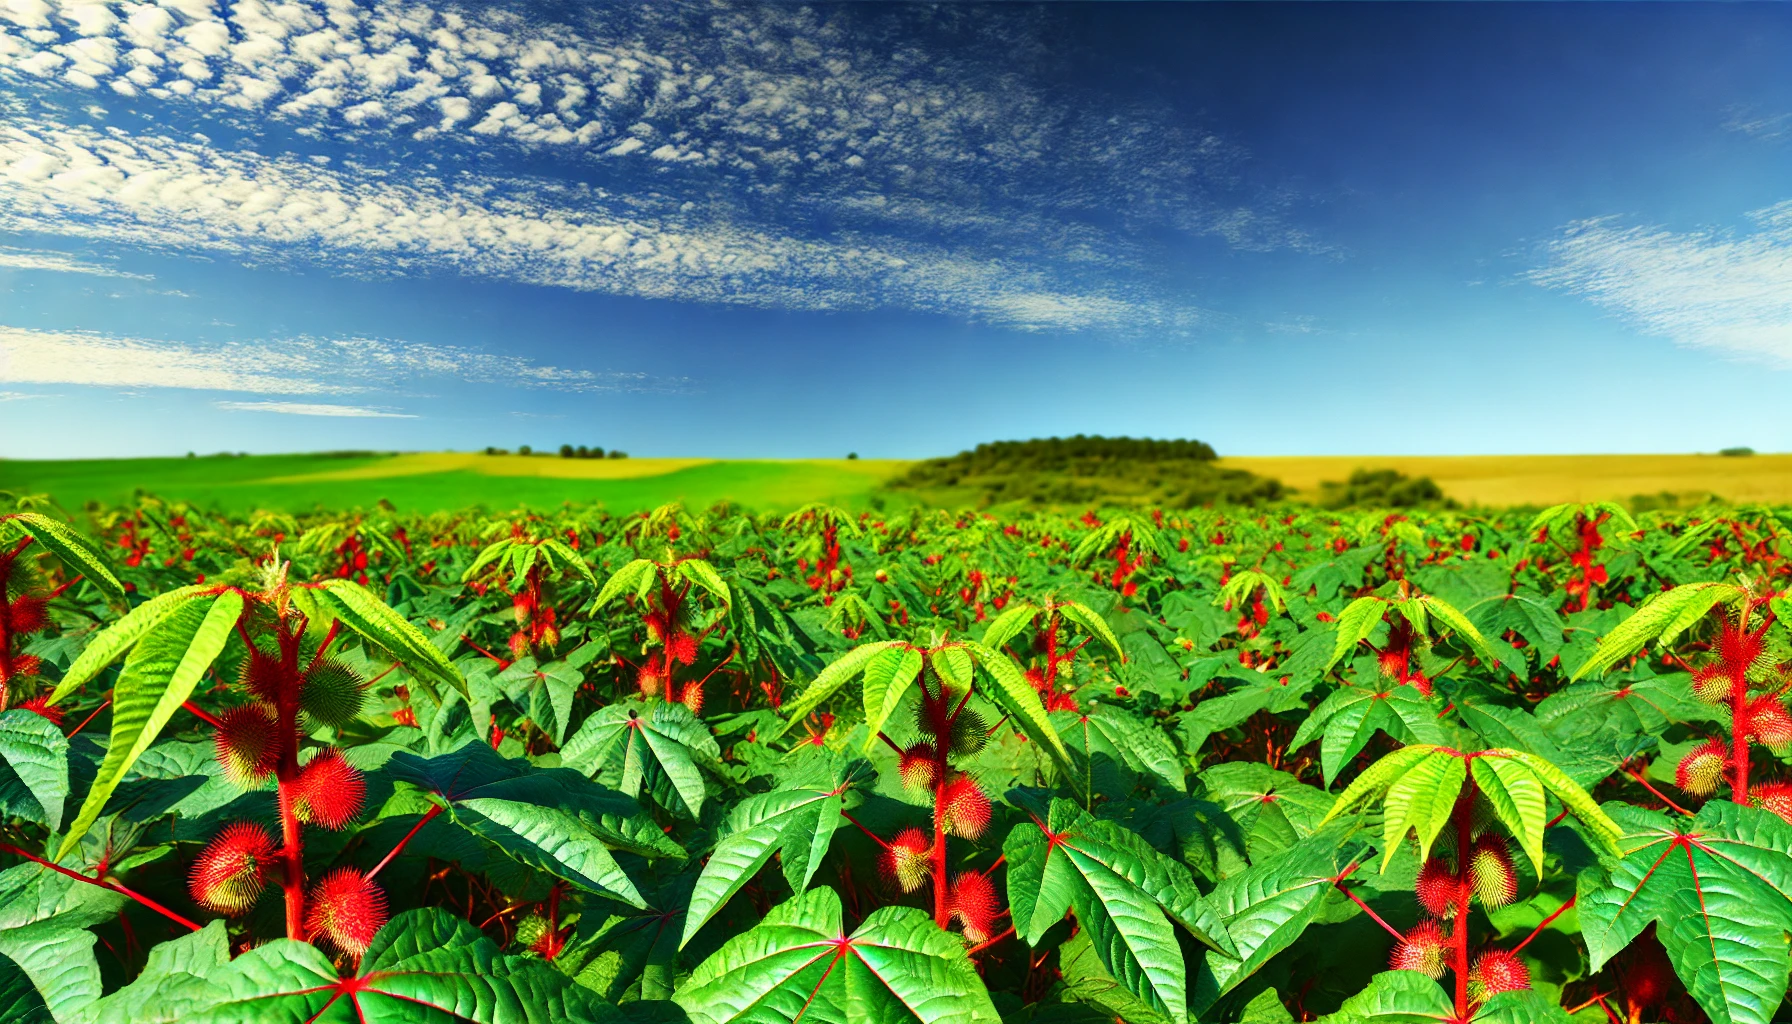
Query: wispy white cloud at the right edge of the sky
[[1718, 290]]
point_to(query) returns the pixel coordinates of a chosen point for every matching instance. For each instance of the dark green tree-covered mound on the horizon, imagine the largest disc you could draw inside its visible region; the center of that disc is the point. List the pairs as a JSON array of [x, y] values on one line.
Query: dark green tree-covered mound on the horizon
[[1081, 471]]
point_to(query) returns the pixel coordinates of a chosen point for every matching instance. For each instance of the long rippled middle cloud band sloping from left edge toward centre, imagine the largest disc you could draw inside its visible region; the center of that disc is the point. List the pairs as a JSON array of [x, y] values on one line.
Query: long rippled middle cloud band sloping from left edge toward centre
[[159, 191]]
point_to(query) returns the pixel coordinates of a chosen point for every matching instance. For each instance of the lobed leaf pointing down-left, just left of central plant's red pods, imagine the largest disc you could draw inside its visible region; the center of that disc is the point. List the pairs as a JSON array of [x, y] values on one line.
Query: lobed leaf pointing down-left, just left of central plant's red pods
[[795, 822]]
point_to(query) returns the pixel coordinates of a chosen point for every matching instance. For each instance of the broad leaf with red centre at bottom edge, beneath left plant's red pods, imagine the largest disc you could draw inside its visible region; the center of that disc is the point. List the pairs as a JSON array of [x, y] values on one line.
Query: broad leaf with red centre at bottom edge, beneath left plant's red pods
[[426, 968]]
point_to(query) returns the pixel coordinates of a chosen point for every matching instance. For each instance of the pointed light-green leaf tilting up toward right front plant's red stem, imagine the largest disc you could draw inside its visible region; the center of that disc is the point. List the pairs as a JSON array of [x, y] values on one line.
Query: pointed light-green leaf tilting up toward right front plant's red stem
[[1268, 907]]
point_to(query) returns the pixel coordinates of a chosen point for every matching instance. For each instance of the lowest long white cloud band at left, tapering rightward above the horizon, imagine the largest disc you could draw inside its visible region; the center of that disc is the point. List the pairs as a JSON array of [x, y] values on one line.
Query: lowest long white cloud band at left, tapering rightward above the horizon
[[282, 367]]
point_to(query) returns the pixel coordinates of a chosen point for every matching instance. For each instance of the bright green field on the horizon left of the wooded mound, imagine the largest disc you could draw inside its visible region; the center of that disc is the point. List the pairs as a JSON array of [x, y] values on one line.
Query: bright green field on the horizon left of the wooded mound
[[433, 482]]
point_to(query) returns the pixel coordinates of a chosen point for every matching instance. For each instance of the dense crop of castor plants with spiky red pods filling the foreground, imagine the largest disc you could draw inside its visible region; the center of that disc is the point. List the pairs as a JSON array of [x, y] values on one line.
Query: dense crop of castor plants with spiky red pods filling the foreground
[[1133, 767]]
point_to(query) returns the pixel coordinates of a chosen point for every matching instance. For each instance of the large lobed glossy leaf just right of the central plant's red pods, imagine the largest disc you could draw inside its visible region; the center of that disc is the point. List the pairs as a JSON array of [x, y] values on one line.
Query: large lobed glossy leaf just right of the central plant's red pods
[[1119, 889]]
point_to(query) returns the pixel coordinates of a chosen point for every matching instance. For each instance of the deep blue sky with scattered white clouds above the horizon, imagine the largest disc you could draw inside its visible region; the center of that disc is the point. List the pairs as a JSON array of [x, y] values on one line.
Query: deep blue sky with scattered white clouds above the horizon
[[900, 230]]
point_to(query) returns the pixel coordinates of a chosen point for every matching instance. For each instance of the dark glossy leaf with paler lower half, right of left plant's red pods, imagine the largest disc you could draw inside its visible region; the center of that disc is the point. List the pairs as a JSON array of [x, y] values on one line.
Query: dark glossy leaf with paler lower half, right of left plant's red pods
[[553, 820]]
